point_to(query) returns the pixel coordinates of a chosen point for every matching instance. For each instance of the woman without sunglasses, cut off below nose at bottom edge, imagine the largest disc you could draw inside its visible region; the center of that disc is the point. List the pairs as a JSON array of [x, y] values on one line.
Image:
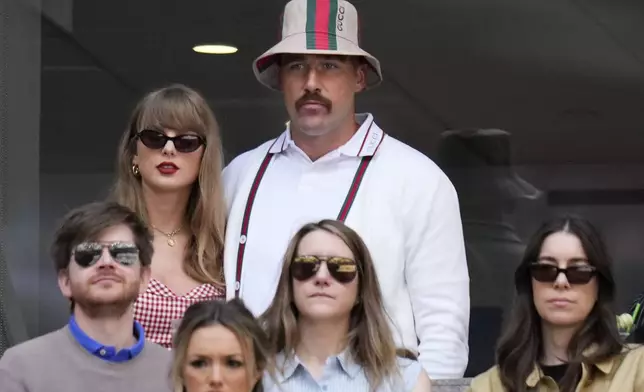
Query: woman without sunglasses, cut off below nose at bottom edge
[[219, 346]]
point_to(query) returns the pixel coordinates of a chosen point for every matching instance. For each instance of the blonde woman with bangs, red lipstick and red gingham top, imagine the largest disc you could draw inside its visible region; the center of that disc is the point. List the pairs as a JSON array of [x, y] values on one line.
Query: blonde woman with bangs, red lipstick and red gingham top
[[169, 165]]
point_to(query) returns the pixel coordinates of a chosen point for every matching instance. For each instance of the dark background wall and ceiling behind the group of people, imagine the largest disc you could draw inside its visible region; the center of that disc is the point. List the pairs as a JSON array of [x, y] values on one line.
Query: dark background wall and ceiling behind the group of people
[[565, 78]]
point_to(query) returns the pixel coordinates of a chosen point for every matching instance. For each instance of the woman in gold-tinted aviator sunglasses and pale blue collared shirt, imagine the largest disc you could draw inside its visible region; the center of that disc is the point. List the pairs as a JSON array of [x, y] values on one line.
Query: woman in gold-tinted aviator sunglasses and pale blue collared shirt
[[327, 322]]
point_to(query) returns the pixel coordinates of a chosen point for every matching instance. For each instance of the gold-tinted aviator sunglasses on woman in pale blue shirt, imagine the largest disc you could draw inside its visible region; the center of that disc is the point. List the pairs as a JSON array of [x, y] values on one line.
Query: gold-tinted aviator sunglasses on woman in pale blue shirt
[[342, 269]]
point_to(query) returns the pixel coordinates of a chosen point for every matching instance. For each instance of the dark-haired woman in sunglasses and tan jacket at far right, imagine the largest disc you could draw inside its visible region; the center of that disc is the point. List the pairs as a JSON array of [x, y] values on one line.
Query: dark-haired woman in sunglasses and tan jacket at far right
[[561, 333]]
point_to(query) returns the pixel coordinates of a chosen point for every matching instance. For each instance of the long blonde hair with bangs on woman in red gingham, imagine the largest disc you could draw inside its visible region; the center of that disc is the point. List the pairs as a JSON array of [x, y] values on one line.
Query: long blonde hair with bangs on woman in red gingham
[[181, 108]]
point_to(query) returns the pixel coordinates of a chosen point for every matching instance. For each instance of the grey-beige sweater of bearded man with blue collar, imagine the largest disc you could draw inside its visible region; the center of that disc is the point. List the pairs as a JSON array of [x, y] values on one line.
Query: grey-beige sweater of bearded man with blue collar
[[56, 362]]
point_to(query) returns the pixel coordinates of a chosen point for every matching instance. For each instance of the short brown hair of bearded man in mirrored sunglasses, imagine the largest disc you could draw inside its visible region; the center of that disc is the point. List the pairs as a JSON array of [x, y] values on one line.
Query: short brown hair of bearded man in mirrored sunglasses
[[86, 222]]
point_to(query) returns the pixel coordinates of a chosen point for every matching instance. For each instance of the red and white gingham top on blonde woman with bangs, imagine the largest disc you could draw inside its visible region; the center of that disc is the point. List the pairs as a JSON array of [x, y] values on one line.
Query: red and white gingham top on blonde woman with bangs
[[159, 310]]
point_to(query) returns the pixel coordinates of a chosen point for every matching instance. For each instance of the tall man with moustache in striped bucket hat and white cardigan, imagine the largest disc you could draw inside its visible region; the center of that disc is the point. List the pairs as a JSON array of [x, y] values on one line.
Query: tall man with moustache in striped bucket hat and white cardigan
[[333, 163]]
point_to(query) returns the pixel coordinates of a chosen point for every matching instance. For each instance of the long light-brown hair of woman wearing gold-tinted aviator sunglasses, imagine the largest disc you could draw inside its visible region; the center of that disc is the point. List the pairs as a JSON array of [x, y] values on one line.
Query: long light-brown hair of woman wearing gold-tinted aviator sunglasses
[[369, 339]]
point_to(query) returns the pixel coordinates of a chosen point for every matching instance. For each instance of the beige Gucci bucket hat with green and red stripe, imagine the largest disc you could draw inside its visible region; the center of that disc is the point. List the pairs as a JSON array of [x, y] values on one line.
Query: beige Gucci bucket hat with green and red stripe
[[328, 27]]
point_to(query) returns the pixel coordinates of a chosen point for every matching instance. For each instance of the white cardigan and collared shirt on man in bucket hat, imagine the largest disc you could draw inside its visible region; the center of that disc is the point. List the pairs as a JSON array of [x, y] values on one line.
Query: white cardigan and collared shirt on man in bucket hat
[[406, 211]]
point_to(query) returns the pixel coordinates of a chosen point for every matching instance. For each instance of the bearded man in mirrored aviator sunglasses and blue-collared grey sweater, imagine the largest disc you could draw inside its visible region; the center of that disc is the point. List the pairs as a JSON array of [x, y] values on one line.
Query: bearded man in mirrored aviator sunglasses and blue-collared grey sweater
[[102, 254]]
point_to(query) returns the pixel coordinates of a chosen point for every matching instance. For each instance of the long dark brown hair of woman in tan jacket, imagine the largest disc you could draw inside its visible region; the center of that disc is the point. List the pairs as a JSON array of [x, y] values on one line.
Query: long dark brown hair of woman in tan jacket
[[520, 345]]
